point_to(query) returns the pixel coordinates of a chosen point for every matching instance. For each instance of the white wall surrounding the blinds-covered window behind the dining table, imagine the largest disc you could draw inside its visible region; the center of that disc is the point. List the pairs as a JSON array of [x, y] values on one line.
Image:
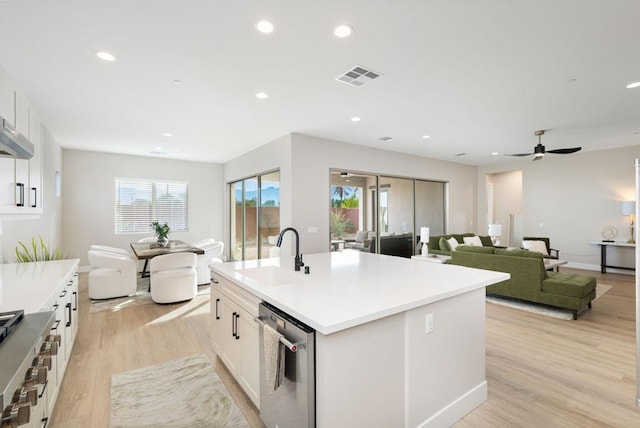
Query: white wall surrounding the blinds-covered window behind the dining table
[[88, 194]]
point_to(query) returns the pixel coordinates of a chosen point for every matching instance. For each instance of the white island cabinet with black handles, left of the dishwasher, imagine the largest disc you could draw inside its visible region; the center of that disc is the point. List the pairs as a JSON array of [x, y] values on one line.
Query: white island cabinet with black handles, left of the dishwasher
[[235, 334]]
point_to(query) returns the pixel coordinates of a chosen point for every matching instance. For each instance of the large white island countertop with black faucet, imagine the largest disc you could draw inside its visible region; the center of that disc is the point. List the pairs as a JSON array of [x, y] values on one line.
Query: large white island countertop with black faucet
[[348, 288]]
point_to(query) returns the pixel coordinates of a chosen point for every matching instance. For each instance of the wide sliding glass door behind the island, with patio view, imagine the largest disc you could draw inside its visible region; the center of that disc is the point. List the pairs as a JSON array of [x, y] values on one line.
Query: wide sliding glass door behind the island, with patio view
[[384, 214]]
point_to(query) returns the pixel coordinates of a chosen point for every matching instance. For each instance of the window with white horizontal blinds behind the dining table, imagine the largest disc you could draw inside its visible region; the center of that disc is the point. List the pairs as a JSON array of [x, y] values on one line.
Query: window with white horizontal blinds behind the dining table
[[140, 202]]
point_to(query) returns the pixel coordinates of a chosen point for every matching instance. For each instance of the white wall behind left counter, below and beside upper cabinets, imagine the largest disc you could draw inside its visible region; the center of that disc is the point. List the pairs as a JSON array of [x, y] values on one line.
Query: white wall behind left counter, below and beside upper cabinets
[[49, 224]]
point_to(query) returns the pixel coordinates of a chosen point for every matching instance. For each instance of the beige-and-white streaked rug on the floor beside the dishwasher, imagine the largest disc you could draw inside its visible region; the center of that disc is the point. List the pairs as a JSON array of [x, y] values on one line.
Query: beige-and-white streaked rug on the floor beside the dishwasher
[[181, 393]]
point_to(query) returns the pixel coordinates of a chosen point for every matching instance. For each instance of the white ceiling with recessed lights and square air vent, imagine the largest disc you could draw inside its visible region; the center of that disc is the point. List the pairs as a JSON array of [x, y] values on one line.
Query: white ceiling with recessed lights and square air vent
[[477, 76]]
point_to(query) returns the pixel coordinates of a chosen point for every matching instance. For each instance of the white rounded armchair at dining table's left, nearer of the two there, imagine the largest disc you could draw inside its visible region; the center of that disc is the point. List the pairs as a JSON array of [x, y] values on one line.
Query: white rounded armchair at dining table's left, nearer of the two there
[[112, 274]]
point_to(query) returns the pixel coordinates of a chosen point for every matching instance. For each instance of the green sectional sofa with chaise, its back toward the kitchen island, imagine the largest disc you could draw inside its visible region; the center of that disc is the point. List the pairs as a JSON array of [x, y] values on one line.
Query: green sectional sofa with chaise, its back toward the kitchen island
[[529, 279]]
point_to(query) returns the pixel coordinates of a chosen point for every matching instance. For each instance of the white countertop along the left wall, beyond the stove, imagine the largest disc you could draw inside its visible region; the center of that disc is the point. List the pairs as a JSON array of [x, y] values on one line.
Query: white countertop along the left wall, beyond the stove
[[28, 286]]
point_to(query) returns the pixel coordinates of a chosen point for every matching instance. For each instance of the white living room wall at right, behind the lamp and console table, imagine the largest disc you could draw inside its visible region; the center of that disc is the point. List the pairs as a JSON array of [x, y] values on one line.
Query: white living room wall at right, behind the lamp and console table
[[569, 198]]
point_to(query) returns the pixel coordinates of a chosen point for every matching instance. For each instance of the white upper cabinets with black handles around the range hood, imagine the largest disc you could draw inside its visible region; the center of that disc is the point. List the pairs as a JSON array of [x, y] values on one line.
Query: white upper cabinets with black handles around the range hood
[[20, 179]]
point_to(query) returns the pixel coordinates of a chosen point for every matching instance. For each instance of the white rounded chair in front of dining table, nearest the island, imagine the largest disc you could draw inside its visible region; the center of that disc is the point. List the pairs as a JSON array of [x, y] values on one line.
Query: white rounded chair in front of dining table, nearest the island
[[173, 277]]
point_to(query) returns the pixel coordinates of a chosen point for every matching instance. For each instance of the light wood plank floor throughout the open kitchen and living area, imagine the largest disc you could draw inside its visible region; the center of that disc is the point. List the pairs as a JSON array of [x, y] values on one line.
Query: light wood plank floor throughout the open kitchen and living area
[[541, 371]]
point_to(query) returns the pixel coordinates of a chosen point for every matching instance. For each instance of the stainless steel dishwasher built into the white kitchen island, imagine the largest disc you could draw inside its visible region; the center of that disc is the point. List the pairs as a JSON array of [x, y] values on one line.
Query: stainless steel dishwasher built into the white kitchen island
[[292, 405]]
